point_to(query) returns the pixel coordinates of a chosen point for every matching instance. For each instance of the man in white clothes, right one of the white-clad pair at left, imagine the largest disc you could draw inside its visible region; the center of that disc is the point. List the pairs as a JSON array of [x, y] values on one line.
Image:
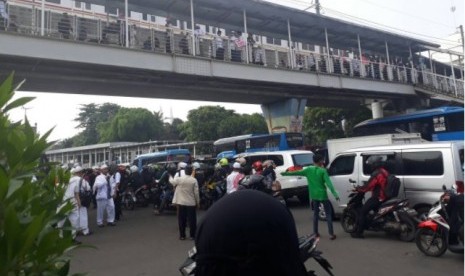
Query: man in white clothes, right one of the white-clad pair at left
[[104, 200]]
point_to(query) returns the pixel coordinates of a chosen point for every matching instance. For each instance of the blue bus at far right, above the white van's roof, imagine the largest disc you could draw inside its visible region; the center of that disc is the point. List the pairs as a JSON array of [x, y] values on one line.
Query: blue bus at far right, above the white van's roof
[[437, 124]]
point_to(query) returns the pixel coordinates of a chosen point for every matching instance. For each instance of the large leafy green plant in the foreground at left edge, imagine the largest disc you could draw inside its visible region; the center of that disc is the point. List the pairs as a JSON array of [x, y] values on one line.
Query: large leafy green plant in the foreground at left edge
[[30, 244]]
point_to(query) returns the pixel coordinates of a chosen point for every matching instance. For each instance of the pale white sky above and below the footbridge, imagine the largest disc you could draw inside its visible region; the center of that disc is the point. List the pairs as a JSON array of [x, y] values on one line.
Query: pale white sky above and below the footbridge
[[430, 20]]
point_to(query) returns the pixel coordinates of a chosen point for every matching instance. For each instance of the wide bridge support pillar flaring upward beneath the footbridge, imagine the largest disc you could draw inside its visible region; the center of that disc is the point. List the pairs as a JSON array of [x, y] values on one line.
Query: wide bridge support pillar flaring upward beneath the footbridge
[[285, 116]]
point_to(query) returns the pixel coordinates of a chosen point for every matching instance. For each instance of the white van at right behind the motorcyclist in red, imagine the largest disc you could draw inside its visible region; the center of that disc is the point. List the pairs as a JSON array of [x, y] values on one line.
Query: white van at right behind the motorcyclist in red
[[422, 169]]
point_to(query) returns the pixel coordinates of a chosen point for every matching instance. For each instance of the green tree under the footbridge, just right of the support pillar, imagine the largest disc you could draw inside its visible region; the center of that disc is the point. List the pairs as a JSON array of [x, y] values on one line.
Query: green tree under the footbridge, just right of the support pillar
[[321, 124]]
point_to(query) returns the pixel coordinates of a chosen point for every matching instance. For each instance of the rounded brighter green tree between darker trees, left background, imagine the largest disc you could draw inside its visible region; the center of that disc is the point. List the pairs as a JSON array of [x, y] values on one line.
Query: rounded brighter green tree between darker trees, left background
[[132, 125]]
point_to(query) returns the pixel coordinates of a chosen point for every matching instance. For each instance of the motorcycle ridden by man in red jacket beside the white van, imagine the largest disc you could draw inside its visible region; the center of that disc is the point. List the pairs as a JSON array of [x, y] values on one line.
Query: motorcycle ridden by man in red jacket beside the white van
[[393, 216]]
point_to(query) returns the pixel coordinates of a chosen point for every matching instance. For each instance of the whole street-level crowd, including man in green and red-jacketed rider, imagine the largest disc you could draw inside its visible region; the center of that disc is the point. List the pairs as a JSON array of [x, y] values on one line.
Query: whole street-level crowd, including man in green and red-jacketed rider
[[186, 186]]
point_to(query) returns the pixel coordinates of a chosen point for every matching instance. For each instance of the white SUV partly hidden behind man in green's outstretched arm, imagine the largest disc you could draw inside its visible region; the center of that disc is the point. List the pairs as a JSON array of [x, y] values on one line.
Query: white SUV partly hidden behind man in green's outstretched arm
[[290, 185]]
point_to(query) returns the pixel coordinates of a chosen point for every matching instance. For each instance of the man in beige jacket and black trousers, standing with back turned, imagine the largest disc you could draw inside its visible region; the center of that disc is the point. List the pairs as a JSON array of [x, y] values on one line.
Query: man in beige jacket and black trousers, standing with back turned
[[186, 197]]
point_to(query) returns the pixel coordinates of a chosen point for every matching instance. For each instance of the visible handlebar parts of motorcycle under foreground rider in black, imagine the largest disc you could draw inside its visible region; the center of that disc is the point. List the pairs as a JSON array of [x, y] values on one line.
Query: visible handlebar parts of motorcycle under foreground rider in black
[[307, 246]]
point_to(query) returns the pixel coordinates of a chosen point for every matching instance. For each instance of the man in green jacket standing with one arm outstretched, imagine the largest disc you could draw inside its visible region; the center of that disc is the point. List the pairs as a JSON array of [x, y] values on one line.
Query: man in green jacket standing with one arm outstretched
[[318, 181]]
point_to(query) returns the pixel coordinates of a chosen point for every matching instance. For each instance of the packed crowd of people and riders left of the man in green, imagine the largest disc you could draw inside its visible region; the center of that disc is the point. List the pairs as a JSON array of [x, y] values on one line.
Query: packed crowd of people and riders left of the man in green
[[182, 187]]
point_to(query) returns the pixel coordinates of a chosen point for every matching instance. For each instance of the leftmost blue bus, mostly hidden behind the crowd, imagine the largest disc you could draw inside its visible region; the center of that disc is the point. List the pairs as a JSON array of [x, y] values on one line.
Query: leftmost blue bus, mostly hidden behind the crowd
[[172, 155]]
